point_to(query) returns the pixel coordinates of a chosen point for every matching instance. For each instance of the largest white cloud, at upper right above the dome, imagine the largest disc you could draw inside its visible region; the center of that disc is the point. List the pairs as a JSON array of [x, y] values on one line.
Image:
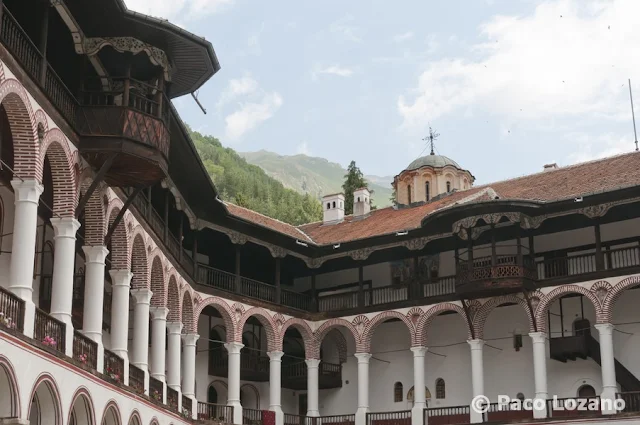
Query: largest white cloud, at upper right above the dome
[[569, 58]]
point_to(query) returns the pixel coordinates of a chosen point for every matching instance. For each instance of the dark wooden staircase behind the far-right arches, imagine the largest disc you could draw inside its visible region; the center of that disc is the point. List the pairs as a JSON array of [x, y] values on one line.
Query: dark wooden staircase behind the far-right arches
[[583, 346]]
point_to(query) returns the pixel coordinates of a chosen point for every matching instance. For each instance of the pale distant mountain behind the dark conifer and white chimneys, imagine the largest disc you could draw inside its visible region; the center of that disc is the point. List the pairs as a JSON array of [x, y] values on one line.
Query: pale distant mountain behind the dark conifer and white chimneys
[[313, 175]]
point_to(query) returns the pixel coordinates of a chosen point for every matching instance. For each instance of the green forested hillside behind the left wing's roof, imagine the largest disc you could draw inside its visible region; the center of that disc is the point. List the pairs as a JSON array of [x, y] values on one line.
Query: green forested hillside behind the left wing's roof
[[249, 186]]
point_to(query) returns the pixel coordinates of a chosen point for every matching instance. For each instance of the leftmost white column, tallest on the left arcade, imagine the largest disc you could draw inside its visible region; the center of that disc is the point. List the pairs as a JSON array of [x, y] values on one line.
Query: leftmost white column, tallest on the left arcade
[[25, 226]]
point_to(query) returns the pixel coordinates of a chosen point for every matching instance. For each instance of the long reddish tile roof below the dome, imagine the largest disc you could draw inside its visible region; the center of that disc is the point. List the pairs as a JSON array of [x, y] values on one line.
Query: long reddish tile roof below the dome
[[563, 183]]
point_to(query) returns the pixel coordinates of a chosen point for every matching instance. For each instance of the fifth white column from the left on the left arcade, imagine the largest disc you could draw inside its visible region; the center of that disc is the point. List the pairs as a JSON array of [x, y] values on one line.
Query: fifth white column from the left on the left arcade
[[140, 355]]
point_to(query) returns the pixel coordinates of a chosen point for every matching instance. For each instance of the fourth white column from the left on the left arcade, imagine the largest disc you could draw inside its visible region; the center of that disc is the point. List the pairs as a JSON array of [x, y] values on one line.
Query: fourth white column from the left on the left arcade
[[120, 284]]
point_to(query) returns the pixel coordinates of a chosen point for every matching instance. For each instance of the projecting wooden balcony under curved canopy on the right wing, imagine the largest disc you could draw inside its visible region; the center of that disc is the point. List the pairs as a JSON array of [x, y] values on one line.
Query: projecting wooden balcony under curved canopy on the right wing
[[495, 275]]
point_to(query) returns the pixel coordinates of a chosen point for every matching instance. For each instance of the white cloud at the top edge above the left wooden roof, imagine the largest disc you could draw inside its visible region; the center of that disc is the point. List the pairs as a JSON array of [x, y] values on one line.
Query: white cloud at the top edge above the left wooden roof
[[183, 9]]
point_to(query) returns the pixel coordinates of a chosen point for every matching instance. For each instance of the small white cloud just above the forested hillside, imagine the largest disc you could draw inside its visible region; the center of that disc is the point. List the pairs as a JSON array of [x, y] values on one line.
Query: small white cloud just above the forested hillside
[[251, 114]]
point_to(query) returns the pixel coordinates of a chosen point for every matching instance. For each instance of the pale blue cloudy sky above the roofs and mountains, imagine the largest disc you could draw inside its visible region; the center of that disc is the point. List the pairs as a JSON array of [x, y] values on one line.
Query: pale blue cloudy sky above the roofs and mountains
[[510, 85]]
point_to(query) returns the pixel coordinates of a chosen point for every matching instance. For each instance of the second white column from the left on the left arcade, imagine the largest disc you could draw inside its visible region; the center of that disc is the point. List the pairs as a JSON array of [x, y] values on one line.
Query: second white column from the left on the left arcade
[[62, 283]]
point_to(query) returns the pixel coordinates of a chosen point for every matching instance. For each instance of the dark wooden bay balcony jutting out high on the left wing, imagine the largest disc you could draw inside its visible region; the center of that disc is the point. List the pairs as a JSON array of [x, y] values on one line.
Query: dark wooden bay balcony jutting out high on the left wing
[[123, 117]]
